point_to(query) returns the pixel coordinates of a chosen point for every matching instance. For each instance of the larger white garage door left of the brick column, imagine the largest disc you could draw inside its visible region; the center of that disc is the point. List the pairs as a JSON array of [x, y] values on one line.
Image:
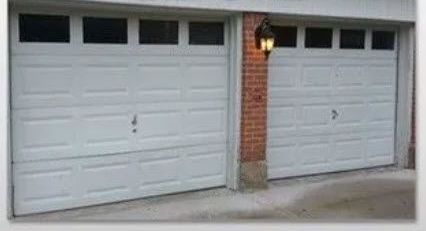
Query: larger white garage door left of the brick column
[[111, 107]]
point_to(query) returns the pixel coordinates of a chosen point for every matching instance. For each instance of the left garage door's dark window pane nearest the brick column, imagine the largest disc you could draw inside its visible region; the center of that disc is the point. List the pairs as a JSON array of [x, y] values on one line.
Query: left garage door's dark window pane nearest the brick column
[[206, 33]]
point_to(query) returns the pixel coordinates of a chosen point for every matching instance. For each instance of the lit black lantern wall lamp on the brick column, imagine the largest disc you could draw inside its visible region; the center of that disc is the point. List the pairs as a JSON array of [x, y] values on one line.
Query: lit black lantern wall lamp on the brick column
[[265, 38]]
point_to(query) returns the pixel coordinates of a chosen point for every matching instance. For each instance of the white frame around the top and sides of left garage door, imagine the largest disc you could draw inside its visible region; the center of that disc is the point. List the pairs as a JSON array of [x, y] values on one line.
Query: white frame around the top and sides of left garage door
[[234, 40]]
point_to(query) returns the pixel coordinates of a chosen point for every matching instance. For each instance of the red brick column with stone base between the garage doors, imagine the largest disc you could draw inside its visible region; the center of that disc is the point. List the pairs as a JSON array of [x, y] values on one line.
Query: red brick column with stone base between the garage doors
[[253, 172]]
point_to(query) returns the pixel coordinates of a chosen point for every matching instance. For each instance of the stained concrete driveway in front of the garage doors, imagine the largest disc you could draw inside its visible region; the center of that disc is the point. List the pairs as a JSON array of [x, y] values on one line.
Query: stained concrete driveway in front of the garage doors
[[385, 193]]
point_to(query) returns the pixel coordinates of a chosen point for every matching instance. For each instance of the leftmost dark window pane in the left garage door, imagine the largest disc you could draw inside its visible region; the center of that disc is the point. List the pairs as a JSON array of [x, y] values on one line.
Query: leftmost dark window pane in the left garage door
[[44, 28]]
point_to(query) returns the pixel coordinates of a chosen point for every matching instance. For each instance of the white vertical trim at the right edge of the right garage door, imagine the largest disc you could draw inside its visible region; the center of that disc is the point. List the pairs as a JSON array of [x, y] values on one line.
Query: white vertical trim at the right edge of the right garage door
[[404, 95]]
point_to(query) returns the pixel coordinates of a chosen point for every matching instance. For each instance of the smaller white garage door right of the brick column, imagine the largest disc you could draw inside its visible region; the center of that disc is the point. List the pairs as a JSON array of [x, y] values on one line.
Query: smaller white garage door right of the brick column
[[331, 104]]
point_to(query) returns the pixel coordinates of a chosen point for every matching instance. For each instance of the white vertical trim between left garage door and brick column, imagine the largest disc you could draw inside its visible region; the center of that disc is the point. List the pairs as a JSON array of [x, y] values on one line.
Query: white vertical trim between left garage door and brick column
[[234, 109]]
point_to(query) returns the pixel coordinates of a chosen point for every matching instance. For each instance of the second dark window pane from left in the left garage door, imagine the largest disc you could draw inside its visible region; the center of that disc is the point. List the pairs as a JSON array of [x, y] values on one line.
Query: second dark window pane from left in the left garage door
[[104, 30]]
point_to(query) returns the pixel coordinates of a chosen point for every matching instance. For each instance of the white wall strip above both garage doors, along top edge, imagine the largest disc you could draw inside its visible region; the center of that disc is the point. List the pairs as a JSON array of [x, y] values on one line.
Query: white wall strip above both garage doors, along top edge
[[395, 10]]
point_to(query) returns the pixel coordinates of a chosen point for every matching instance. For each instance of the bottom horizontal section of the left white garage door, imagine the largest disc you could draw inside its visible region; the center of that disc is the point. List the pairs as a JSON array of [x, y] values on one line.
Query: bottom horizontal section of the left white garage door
[[100, 179]]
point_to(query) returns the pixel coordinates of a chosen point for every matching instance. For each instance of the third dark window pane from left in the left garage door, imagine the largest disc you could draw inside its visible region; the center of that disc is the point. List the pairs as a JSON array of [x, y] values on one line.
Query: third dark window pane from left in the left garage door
[[158, 32]]
